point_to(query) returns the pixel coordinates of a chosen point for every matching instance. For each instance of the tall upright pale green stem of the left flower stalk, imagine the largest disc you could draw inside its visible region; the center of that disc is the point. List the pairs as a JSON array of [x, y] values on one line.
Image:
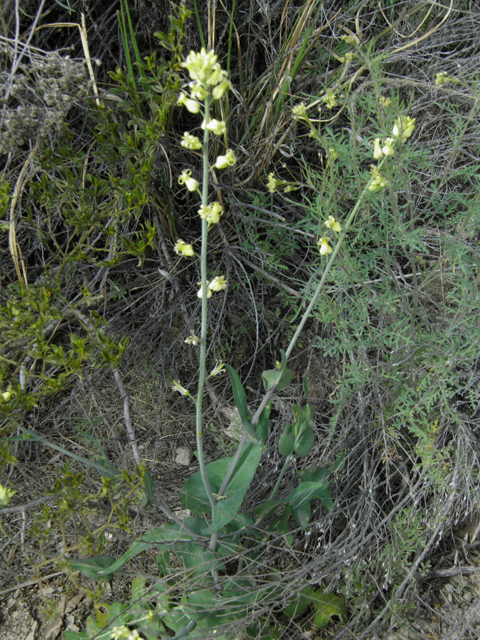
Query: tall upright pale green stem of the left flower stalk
[[203, 335]]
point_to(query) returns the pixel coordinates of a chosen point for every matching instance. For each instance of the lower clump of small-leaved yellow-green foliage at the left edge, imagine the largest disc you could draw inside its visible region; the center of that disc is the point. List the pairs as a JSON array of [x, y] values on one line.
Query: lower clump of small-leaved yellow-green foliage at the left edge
[[28, 319]]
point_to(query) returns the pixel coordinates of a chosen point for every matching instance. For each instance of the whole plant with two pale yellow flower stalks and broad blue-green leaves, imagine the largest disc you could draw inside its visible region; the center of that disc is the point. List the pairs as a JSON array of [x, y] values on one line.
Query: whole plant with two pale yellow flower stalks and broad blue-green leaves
[[214, 532]]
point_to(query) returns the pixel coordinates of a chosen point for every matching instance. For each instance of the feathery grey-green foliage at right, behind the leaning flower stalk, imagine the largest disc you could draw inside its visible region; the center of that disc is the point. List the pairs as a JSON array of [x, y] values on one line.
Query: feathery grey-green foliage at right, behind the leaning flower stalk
[[402, 296]]
